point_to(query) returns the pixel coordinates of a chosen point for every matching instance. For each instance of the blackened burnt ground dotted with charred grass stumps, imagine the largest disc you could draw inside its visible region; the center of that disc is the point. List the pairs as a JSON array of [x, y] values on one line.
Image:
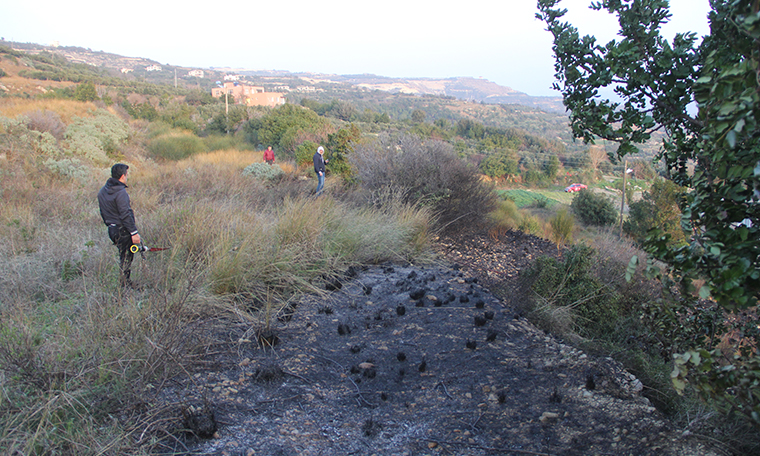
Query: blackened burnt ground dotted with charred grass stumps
[[420, 360]]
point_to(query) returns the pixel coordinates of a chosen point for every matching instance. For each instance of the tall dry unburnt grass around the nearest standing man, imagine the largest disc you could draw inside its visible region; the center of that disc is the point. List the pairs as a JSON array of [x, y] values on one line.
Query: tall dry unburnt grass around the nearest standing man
[[81, 359]]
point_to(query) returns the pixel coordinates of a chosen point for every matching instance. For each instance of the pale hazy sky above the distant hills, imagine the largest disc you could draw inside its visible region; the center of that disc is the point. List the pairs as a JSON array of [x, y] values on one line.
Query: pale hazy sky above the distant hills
[[497, 40]]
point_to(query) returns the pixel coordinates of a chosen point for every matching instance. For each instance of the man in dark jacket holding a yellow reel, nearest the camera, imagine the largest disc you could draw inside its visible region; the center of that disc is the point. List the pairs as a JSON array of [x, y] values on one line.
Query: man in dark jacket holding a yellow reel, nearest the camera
[[118, 216]]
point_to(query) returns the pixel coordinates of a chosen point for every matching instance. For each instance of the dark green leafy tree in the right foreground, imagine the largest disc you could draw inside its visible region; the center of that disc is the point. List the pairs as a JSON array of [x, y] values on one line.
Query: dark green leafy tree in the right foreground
[[656, 83]]
